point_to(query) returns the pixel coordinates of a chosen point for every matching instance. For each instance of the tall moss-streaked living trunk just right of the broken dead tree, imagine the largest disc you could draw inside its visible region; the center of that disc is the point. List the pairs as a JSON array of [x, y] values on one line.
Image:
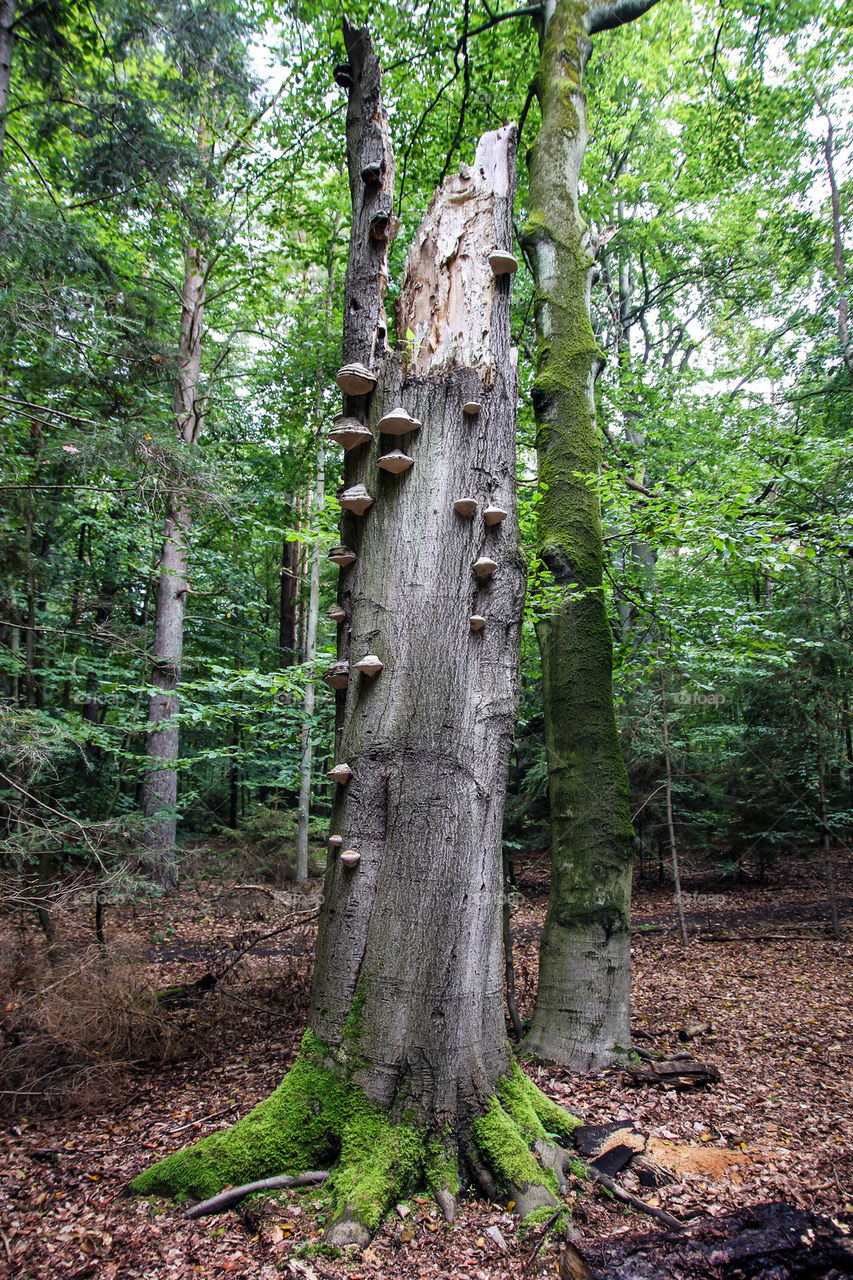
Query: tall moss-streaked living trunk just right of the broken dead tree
[[582, 1016]]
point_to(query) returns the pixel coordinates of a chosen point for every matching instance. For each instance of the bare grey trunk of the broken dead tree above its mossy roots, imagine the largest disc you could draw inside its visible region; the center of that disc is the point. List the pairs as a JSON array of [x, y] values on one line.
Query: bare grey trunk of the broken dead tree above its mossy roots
[[417, 926]]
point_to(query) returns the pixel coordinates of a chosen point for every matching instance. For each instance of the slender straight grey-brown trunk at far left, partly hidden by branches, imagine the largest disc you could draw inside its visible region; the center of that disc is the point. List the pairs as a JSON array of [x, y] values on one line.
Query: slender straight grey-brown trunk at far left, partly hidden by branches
[[161, 787]]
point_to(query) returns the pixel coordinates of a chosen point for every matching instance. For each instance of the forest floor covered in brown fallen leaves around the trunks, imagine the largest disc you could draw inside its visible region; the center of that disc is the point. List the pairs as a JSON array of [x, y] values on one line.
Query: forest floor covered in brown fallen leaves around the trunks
[[126, 1089]]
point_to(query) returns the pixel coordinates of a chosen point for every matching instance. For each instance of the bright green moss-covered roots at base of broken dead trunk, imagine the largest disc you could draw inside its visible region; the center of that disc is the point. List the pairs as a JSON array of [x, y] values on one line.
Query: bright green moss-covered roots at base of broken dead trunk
[[320, 1118]]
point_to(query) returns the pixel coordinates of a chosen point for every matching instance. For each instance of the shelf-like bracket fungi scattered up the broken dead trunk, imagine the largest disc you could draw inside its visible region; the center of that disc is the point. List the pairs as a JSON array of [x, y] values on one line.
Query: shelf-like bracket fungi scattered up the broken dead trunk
[[357, 380]]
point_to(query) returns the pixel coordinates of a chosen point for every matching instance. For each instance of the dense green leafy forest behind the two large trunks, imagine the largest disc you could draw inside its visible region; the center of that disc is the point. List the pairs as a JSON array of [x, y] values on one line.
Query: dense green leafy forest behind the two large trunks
[[163, 139]]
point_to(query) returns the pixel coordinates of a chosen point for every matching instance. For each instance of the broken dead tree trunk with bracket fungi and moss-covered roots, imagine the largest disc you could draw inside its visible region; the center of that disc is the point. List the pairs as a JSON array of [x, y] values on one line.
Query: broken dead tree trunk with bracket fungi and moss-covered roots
[[407, 1067]]
